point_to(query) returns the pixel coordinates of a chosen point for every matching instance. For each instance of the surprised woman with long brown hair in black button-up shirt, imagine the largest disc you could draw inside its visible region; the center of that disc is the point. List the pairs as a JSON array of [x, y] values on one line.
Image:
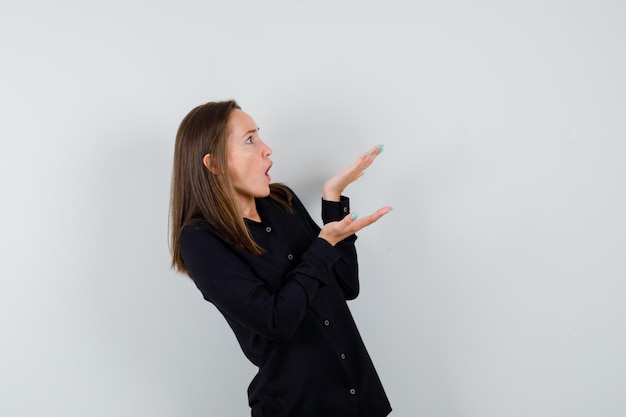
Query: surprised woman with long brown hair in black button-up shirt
[[279, 279]]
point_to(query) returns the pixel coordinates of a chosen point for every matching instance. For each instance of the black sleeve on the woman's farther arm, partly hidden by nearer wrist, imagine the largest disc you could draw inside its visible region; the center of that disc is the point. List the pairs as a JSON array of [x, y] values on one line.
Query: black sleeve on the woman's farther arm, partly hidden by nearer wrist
[[347, 268]]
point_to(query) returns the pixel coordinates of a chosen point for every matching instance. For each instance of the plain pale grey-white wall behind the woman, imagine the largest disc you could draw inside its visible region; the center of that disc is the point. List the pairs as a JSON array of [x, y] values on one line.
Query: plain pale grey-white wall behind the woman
[[497, 286]]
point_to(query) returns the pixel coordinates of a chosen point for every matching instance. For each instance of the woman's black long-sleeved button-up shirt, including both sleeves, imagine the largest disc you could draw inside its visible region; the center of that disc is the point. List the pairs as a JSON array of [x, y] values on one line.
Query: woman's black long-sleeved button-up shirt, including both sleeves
[[288, 310]]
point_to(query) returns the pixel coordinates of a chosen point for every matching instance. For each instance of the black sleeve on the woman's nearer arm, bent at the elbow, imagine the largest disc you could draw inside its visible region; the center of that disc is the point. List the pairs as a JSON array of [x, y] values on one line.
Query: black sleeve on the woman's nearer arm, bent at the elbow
[[227, 278]]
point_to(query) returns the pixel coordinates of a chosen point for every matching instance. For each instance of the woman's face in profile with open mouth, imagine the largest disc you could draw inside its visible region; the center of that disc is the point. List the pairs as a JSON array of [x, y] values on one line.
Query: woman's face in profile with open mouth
[[247, 157]]
